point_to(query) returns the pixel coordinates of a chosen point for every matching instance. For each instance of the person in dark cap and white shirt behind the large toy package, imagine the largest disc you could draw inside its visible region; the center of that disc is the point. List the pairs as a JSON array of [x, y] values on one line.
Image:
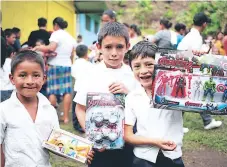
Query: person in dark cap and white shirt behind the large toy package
[[193, 40]]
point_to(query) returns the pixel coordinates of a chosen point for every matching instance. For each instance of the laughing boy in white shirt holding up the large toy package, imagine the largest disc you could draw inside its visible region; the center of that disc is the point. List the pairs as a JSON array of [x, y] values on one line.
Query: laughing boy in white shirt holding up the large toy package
[[159, 135]]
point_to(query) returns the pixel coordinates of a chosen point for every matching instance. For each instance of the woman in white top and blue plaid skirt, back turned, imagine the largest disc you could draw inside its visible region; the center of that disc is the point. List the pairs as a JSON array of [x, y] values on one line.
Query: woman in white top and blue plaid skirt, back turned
[[59, 81]]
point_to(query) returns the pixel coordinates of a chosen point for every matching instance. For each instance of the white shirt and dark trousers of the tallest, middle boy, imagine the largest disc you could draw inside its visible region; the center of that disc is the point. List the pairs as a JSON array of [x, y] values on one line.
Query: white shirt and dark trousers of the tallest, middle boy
[[100, 80]]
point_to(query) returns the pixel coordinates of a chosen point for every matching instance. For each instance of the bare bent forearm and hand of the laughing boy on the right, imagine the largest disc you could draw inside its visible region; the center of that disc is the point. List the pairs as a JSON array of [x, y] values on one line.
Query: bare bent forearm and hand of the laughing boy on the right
[[140, 140]]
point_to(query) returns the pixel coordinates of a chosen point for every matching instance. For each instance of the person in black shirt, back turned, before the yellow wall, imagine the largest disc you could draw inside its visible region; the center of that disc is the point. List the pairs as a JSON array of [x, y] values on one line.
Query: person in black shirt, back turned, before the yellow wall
[[42, 33]]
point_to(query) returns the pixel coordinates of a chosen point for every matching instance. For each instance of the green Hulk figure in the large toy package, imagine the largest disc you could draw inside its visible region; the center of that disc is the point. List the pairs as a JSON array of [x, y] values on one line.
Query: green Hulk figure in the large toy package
[[209, 88]]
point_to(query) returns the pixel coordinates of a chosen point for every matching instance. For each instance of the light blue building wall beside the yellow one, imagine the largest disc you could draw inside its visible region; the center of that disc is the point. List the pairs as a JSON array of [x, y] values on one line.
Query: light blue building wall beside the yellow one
[[89, 35]]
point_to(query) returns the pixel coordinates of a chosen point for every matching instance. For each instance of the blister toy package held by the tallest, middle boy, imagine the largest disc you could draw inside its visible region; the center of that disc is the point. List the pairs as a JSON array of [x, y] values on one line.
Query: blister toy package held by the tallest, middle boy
[[105, 120]]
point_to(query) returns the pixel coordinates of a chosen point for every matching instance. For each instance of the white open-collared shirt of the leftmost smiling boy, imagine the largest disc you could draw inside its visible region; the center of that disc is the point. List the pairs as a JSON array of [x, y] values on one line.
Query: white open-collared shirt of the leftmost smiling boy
[[21, 137]]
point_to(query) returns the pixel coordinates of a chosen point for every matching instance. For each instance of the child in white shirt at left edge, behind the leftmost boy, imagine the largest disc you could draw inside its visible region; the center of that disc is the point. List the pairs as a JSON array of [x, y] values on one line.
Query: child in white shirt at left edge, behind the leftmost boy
[[6, 86]]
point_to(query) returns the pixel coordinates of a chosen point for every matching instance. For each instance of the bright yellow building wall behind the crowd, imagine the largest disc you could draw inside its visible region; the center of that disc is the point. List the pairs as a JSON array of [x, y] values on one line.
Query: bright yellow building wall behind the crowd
[[24, 15]]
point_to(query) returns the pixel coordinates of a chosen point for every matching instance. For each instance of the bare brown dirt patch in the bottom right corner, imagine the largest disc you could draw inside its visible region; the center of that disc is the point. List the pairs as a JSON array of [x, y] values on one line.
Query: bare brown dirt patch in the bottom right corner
[[204, 157]]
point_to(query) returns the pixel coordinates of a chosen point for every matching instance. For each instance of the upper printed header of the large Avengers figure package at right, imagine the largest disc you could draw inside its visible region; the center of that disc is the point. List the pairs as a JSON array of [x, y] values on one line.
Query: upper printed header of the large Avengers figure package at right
[[208, 64]]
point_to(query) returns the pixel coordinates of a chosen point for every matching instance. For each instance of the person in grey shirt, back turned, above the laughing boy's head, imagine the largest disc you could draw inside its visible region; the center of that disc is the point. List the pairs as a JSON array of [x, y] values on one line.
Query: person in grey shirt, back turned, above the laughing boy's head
[[163, 37]]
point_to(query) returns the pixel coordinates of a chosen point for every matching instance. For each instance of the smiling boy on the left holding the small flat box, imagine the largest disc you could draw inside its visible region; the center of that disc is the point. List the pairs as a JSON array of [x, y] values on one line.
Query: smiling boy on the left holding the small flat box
[[27, 118]]
